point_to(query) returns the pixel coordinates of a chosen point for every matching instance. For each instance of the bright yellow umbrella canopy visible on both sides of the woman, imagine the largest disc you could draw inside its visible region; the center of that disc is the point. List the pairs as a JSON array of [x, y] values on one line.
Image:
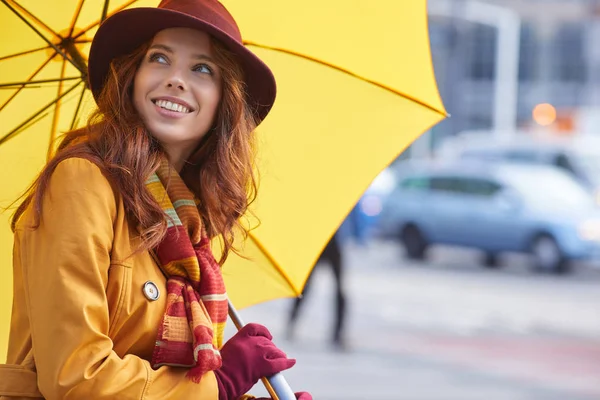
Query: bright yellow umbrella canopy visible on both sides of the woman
[[355, 88]]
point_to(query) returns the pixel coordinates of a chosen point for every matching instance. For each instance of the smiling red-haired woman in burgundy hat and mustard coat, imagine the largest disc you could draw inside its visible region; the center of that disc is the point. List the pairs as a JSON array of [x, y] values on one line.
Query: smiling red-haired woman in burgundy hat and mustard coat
[[117, 293]]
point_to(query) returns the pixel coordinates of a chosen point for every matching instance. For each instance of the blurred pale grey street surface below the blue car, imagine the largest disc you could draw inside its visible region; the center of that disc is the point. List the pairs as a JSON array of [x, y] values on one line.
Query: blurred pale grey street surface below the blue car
[[444, 330]]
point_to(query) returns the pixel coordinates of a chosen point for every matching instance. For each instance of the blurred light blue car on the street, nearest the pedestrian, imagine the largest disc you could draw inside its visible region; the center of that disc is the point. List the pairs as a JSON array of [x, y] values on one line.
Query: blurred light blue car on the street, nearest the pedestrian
[[494, 207]]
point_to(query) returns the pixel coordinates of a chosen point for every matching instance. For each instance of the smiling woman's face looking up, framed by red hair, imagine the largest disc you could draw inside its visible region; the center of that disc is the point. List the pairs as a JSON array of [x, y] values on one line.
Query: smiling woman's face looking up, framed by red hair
[[177, 89]]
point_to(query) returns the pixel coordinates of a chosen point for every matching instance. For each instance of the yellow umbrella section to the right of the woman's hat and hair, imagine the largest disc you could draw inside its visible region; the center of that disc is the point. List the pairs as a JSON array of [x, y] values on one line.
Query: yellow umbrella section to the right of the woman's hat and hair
[[355, 88]]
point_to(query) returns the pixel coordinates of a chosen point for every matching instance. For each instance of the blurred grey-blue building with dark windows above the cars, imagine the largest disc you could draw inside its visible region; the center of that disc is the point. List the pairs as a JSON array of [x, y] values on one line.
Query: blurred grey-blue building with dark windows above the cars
[[555, 54]]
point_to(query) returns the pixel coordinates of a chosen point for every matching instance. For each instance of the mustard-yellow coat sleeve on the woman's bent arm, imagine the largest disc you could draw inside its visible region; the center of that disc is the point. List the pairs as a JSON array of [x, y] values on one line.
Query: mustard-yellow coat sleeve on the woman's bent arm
[[65, 270]]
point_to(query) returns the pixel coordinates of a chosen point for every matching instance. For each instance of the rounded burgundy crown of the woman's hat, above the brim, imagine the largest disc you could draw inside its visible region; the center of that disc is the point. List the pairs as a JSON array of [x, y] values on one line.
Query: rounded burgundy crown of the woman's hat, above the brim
[[210, 11]]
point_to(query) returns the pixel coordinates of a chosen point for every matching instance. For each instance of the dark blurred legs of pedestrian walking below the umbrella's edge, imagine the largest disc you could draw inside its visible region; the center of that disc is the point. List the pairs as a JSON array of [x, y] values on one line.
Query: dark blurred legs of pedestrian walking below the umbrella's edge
[[331, 256]]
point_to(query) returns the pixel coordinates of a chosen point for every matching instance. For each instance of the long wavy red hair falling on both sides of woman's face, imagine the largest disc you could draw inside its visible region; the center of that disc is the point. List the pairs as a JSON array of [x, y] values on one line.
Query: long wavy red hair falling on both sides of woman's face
[[220, 172]]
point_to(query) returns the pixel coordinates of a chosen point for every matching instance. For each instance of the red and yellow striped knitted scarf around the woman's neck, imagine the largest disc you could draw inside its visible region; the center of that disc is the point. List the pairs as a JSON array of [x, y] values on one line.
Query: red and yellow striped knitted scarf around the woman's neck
[[191, 332]]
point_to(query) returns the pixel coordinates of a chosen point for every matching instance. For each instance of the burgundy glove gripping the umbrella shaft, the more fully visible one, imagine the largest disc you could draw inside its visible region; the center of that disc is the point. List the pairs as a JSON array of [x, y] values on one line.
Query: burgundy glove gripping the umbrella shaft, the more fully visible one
[[247, 356]]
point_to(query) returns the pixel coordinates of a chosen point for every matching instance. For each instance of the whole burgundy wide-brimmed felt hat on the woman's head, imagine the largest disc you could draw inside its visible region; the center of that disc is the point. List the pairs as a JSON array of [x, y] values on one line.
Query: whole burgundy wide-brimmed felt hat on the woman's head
[[126, 30]]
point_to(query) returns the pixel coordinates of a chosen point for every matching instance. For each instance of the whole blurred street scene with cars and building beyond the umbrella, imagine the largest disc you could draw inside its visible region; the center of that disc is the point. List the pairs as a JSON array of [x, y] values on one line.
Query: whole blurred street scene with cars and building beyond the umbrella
[[471, 266]]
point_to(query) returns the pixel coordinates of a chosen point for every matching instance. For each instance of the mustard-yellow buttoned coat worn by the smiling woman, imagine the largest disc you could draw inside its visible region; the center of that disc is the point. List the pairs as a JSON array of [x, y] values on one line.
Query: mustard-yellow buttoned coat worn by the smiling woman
[[81, 324]]
